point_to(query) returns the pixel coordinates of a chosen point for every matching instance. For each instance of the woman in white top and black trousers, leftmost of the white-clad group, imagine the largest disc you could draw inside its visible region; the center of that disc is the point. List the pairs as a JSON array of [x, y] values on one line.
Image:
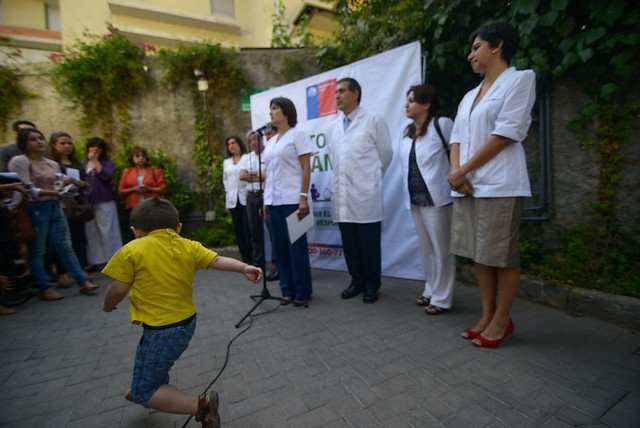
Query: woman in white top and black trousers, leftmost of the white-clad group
[[236, 195]]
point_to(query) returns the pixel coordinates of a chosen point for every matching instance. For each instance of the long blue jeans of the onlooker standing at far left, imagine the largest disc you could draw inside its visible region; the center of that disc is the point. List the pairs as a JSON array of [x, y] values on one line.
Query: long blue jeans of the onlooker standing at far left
[[51, 228]]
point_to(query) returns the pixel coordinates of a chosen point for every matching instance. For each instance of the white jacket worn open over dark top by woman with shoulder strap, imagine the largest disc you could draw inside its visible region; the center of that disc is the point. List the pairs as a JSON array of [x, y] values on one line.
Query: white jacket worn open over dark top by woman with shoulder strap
[[432, 161]]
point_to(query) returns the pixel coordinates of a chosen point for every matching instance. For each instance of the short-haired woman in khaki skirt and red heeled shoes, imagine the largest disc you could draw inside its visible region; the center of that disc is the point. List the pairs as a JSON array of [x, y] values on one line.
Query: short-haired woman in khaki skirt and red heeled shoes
[[489, 177]]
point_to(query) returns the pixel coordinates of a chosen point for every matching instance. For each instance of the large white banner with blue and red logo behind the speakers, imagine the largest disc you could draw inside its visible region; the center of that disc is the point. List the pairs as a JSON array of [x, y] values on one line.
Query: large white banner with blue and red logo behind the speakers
[[385, 79]]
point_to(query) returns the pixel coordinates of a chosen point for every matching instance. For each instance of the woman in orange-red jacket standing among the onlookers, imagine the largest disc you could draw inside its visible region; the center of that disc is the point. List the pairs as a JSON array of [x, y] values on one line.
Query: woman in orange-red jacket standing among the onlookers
[[139, 181]]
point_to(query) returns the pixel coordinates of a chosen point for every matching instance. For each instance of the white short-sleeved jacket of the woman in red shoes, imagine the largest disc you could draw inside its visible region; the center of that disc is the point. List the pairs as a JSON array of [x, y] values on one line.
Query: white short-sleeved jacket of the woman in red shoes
[[504, 110]]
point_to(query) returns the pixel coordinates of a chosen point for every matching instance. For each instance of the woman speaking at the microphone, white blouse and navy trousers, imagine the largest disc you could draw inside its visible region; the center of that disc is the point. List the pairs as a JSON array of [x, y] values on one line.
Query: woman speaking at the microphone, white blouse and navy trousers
[[287, 157]]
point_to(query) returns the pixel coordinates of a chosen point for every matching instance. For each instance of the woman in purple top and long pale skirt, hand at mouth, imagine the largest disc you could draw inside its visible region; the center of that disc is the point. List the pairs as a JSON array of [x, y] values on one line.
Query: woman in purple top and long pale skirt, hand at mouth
[[103, 232]]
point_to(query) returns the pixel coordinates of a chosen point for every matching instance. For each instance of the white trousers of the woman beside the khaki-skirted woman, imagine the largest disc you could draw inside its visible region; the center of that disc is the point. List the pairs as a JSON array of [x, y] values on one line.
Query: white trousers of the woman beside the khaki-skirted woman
[[433, 226]]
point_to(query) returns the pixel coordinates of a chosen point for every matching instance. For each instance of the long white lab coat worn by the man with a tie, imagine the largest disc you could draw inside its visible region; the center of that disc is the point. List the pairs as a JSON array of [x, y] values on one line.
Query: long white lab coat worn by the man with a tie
[[359, 158]]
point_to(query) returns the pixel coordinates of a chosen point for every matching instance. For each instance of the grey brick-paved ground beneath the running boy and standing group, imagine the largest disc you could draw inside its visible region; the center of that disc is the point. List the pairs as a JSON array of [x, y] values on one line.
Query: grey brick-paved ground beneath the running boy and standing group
[[336, 364]]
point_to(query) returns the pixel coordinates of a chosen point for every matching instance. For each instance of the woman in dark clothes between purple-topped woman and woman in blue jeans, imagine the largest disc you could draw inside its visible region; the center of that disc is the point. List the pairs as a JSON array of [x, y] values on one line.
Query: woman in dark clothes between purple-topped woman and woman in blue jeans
[[77, 210]]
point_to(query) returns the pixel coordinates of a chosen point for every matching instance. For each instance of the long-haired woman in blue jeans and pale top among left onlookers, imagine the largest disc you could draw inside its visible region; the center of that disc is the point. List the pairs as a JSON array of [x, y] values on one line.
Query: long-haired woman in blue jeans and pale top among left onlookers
[[45, 212]]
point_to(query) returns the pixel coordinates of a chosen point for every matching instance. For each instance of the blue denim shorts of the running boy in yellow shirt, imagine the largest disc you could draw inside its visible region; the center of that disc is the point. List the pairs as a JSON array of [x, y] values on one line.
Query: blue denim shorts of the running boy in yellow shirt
[[157, 351]]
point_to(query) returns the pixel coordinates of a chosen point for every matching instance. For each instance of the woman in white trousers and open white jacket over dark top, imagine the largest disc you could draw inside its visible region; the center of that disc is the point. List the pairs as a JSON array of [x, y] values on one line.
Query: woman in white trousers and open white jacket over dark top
[[423, 154]]
